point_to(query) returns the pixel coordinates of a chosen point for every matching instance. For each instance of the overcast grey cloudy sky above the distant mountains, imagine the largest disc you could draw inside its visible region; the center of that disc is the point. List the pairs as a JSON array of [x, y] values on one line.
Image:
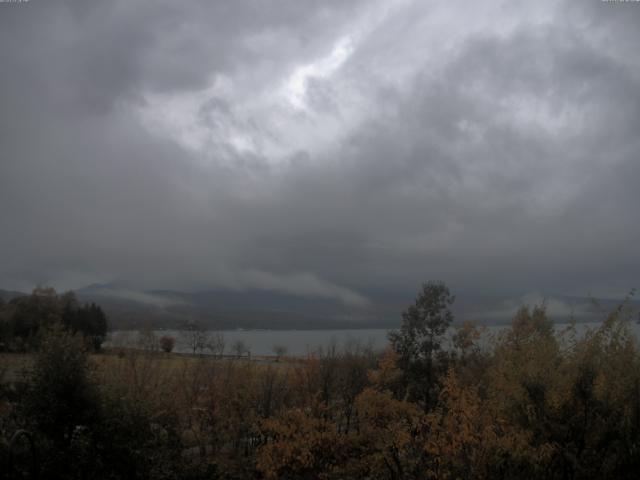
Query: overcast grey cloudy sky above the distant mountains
[[326, 148]]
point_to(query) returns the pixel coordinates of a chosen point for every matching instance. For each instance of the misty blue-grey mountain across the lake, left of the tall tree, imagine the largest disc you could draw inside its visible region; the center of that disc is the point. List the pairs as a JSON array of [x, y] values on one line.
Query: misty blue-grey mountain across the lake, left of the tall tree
[[224, 309]]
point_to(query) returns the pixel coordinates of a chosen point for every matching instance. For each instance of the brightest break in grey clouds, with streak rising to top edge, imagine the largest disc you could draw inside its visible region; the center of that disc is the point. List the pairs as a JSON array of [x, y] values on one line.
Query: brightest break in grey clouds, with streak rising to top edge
[[272, 119]]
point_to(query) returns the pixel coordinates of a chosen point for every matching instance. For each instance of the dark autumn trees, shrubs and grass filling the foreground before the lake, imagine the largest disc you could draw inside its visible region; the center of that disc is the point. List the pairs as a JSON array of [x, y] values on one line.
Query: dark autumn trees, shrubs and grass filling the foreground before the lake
[[535, 404]]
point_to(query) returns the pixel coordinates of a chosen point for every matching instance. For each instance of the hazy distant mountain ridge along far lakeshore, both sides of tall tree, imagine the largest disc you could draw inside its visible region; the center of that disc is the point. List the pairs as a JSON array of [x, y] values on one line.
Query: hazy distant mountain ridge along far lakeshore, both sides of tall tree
[[261, 309]]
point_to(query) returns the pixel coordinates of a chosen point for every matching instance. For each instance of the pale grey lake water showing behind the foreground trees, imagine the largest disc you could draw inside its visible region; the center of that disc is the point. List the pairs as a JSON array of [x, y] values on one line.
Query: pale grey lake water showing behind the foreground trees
[[303, 342]]
